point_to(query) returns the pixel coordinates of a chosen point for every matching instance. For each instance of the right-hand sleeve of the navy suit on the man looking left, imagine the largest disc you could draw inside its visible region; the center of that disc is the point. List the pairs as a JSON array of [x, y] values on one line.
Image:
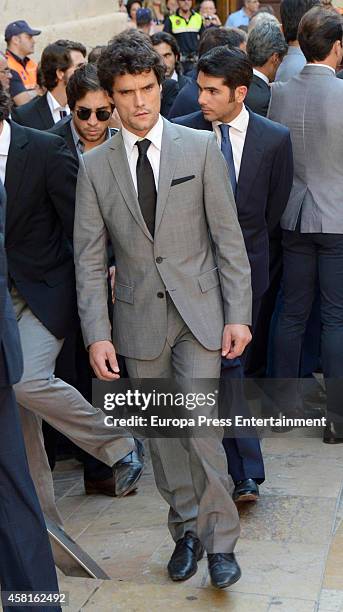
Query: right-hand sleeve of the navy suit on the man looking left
[[281, 181]]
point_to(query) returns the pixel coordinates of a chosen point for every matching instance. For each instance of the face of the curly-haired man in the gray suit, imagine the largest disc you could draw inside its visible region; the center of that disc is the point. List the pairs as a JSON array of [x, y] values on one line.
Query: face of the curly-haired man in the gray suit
[[137, 98]]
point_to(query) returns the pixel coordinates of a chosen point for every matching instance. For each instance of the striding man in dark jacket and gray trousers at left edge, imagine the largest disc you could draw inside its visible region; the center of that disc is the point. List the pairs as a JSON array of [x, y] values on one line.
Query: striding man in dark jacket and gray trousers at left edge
[[40, 220]]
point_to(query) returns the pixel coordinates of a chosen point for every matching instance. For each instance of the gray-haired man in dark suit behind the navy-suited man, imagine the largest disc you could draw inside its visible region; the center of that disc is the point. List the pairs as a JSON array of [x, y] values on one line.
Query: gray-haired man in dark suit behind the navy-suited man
[[266, 48]]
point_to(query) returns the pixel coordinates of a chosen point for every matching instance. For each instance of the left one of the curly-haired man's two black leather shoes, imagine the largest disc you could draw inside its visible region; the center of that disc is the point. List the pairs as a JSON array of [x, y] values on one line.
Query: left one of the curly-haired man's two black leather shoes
[[183, 562]]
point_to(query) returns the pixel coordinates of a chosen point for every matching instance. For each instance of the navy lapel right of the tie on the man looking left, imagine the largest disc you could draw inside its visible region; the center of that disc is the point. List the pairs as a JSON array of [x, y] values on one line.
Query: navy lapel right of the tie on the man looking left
[[251, 159]]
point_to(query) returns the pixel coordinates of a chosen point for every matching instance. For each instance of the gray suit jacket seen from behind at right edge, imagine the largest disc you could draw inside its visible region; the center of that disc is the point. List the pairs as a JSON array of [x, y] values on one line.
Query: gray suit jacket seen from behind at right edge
[[310, 105]]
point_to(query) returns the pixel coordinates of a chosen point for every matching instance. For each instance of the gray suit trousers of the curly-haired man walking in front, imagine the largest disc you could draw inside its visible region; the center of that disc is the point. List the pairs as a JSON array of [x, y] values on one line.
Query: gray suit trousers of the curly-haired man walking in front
[[191, 473]]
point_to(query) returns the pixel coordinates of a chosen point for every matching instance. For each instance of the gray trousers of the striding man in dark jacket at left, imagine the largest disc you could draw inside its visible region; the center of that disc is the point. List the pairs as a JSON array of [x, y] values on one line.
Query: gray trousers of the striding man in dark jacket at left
[[40, 395]]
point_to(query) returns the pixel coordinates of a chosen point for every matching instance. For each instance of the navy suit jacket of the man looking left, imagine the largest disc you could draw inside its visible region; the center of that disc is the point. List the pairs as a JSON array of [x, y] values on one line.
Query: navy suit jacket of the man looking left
[[264, 185]]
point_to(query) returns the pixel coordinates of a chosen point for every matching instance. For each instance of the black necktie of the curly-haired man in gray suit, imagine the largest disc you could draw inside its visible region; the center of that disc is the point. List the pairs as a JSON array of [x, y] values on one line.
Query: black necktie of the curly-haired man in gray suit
[[146, 185]]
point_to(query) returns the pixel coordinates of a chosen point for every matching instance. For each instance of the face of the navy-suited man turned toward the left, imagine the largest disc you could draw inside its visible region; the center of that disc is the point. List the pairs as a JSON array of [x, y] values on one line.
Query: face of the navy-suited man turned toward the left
[[216, 100]]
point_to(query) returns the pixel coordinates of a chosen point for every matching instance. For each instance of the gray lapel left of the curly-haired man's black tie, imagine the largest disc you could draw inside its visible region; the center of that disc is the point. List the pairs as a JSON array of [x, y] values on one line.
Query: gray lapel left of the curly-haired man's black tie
[[120, 167]]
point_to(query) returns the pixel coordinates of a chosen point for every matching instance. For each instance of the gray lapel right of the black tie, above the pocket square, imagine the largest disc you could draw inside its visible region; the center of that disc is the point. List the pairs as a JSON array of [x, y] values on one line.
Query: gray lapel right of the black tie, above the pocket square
[[170, 155]]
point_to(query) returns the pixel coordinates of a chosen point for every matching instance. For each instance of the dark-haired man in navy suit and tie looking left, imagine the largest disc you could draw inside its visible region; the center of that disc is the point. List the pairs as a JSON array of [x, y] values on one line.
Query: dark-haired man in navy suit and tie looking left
[[259, 159]]
